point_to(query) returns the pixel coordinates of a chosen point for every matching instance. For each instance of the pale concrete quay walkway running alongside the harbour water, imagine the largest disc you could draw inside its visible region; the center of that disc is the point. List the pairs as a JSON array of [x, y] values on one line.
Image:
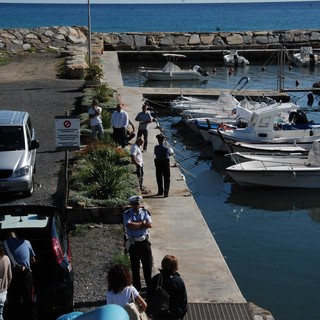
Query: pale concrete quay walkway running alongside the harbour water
[[179, 227]]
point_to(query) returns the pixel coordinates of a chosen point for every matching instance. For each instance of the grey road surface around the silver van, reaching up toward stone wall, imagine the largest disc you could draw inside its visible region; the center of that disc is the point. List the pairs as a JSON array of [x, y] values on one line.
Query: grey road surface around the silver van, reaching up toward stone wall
[[31, 85]]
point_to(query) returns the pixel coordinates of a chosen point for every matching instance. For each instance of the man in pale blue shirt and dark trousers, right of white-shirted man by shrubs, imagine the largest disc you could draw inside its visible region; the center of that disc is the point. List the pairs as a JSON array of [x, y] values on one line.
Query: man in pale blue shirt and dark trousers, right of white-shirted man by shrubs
[[120, 122]]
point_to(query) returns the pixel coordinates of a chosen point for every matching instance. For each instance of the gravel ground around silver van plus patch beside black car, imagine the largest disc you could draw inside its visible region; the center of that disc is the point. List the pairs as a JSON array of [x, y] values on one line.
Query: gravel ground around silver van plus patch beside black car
[[30, 83]]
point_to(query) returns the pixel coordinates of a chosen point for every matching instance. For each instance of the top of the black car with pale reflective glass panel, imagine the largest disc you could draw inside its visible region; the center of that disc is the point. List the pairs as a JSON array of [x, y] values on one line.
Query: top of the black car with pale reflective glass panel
[[25, 216]]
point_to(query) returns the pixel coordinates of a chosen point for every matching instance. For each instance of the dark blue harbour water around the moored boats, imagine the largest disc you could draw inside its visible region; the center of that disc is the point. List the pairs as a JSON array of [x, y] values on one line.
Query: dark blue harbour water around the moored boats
[[269, 237]]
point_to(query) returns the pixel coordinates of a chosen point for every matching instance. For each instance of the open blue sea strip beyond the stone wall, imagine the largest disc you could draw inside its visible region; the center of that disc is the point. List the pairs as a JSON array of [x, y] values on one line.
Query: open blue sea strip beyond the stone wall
[[165, 17]]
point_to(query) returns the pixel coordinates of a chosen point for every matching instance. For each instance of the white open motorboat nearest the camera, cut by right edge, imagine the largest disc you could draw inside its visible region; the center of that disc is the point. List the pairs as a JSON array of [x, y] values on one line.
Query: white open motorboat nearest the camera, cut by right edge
[[290, 173]]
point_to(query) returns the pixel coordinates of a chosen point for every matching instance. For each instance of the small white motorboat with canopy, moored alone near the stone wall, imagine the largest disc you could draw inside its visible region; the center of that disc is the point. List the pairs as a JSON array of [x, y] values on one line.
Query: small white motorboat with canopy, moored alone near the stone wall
[[172, 71]]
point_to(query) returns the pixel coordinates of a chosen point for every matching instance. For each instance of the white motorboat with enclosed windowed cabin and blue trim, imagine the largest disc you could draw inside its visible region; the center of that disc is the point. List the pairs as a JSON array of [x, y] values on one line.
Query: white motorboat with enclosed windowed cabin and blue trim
[[275, 123]]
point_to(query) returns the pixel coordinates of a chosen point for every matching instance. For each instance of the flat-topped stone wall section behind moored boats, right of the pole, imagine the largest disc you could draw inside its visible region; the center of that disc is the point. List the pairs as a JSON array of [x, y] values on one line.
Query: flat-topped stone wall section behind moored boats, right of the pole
[[292, 39]]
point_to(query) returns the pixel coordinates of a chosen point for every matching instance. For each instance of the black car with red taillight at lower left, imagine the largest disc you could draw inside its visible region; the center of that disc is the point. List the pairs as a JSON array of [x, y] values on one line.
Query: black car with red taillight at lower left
[[53, 275]]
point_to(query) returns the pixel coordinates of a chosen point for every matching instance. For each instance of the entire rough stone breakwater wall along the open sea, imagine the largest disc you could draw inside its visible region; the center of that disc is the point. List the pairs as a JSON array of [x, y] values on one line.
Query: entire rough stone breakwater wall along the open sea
[[14, 40]]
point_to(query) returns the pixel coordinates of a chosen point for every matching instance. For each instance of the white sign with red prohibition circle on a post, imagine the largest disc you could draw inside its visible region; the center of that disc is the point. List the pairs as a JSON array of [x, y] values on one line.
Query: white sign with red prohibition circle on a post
[[67, 132]]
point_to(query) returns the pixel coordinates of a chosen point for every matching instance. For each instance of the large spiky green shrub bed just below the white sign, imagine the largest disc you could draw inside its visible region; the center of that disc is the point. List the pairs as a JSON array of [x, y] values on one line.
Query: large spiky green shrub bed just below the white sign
[[101, 174]]
